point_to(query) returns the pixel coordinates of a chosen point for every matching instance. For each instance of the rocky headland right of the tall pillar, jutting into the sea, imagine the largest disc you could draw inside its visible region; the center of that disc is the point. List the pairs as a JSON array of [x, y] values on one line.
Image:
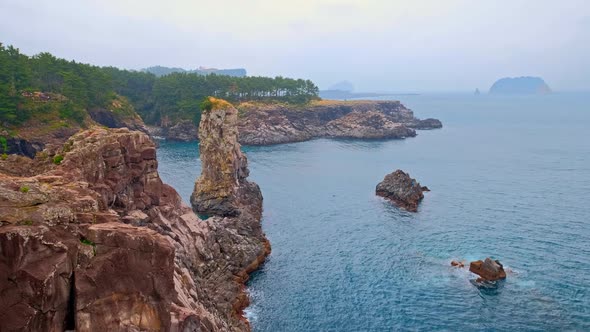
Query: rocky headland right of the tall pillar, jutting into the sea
[[274, 124]]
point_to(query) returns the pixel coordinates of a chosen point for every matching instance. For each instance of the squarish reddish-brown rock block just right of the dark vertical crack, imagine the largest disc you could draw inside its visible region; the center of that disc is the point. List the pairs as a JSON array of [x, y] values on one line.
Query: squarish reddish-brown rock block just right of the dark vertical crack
[[129, 281]]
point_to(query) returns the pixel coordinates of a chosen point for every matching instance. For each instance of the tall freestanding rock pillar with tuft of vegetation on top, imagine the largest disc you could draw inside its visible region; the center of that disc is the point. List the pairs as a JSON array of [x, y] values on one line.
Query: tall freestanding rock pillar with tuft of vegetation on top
[[222, 188]]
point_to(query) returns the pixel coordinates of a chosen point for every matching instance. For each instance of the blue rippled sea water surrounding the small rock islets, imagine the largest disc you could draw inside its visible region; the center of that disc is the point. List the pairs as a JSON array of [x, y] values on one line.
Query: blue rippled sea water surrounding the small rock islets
[[510, 179]]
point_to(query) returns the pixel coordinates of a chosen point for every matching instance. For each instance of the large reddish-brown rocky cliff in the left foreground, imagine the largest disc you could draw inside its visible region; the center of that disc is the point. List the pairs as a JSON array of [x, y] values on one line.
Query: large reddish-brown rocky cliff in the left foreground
[[99, 243]]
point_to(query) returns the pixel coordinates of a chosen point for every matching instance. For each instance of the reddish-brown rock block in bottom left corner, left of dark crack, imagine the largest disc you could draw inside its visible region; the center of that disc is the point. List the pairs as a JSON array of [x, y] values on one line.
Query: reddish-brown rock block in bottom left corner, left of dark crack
[[36, 278]]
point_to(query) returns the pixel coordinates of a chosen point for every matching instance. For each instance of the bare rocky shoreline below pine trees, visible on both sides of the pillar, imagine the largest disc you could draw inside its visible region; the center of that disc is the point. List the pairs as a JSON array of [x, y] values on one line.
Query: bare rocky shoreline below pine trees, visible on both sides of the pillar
[[258, 124]]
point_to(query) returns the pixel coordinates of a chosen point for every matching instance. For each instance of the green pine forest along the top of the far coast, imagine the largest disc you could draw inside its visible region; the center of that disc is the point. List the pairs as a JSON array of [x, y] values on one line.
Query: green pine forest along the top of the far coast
[[168, 98]]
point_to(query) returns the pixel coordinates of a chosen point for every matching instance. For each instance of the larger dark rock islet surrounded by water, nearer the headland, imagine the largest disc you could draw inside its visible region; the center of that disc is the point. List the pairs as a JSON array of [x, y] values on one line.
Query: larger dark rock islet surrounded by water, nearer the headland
[[402, 190]]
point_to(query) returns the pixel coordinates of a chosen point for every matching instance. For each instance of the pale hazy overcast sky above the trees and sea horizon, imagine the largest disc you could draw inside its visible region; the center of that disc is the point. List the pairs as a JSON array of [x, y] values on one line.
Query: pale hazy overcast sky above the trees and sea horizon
[[384, 45]]
